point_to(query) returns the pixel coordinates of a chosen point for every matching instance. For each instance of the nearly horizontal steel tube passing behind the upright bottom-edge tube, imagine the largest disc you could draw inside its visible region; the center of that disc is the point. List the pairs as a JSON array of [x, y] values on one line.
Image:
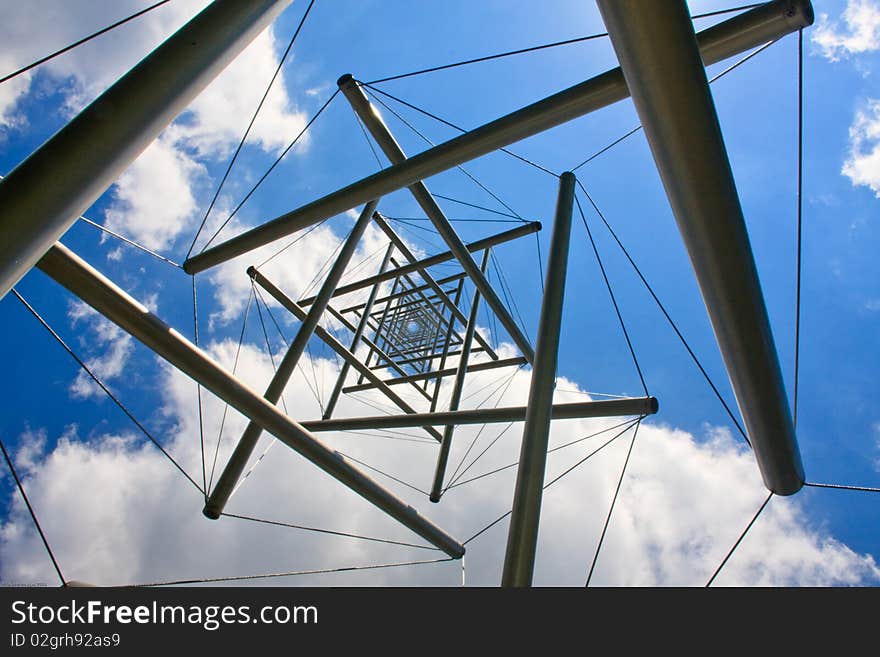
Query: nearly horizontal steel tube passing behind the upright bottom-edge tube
[[573, 411]]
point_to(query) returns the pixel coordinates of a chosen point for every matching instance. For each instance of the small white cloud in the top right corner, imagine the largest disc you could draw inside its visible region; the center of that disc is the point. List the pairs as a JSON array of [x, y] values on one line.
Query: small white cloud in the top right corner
[[859, 34]]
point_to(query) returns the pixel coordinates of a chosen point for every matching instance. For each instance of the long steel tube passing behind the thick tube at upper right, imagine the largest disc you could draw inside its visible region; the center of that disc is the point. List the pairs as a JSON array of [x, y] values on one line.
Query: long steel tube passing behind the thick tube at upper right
[[732, 37]]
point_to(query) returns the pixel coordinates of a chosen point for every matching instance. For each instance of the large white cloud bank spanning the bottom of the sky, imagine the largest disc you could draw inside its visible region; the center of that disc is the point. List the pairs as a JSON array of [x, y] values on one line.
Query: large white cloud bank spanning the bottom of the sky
[[116, 512]]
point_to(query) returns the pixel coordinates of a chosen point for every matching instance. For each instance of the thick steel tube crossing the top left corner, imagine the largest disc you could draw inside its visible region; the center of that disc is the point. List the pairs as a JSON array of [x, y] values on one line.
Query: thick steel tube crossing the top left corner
[[42, 197]]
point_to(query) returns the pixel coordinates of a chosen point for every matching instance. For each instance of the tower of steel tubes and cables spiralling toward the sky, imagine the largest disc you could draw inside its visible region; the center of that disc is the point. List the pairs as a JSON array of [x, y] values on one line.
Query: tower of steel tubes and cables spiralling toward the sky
[[410, 334]]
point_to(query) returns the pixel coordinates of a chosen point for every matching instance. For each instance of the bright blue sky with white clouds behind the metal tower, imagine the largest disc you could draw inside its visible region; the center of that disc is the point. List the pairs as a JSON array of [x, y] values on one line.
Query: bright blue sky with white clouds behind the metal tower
[[116, 511]]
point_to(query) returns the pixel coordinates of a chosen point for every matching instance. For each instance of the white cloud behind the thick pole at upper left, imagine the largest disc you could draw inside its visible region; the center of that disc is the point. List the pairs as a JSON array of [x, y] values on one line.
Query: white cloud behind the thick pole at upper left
[[157, 198]]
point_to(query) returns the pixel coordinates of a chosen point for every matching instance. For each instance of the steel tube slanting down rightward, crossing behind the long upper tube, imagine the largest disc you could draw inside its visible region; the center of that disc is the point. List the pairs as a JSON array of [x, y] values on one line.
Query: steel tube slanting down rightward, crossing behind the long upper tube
[[372, 120]]
